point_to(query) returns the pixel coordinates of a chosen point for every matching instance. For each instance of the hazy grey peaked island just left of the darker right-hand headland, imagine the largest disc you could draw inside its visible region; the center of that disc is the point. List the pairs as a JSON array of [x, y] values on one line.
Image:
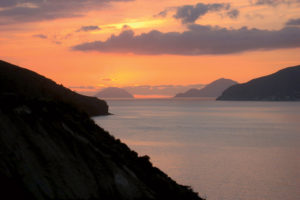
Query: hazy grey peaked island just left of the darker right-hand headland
[[213, 89]]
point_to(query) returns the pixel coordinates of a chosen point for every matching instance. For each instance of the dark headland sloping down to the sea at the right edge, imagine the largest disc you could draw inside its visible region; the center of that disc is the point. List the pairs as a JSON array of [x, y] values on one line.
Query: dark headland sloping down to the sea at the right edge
[[283, 85]]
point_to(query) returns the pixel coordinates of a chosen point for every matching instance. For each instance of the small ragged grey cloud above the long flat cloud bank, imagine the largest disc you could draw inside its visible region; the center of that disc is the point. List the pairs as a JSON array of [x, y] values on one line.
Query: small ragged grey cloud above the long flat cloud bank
[[190, 13]]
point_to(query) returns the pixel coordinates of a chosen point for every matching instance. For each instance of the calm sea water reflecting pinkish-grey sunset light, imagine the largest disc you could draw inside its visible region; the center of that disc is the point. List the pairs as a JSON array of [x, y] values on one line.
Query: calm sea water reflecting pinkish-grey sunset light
[[224, 150]]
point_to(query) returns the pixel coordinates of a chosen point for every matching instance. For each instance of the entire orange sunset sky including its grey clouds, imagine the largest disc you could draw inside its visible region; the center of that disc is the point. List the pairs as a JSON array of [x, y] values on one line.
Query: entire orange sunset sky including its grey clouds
[[100, 43]]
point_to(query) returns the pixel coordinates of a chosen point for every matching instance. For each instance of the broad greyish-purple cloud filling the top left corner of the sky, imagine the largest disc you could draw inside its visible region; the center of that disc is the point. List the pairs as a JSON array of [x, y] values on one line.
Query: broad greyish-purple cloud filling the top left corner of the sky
[[19, 11]]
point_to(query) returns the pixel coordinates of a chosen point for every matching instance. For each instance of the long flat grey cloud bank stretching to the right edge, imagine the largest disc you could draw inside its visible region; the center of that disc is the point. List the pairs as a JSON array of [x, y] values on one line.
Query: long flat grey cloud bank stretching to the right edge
[[198, 40]]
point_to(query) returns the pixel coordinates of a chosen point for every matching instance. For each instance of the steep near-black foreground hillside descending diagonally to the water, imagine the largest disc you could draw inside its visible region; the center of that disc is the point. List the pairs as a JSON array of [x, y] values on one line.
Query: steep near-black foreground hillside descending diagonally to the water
[[52, 150]]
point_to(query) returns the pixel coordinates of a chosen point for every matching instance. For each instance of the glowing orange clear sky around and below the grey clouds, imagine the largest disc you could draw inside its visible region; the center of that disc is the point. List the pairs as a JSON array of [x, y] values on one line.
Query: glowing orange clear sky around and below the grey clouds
[[53, 57]]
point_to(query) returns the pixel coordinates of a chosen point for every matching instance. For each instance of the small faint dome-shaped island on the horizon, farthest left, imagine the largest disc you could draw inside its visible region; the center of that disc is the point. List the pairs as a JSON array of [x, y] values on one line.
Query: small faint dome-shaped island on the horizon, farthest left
[[114, 92]]
